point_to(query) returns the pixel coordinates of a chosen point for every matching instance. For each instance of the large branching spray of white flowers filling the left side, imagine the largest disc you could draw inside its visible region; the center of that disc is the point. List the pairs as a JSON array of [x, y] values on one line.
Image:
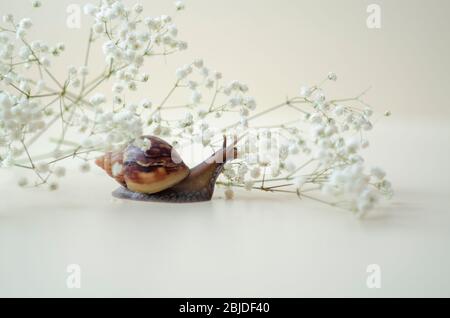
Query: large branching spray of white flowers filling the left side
[[29, 106]]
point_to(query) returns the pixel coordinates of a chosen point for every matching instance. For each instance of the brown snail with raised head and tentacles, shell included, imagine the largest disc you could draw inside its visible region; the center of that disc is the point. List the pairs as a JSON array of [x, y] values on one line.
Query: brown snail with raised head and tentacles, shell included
[[159, 173]]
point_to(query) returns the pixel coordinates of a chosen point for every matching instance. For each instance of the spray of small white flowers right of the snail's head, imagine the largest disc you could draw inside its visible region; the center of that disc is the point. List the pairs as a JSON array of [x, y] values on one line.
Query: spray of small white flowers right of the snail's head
[[330, 134]]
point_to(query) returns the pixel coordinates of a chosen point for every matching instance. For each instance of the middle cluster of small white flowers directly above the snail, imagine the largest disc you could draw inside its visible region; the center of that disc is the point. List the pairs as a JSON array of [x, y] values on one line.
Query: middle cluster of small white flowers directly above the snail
[[208, 98]]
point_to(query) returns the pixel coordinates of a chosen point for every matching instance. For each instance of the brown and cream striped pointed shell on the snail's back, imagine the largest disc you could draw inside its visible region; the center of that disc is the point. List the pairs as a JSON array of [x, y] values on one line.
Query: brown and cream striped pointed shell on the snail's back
[[153, 170]]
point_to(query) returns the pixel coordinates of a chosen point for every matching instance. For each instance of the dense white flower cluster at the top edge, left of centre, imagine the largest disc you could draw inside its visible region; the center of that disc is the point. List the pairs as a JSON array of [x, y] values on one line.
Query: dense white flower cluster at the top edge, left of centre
[[129, 38]]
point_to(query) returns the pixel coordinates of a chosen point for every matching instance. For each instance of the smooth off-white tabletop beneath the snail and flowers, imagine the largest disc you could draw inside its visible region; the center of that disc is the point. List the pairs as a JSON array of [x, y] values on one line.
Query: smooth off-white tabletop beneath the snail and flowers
[[253, 246]]
